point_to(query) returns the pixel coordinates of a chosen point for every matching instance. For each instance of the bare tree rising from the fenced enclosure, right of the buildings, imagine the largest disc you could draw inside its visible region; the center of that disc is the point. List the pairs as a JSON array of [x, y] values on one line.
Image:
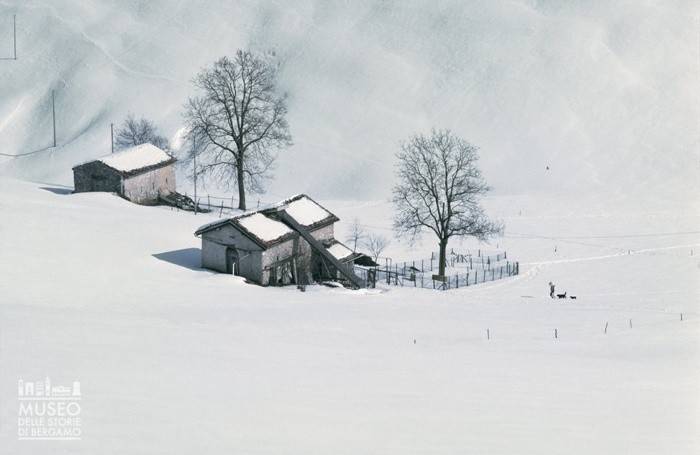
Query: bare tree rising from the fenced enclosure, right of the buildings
[[439, 188]]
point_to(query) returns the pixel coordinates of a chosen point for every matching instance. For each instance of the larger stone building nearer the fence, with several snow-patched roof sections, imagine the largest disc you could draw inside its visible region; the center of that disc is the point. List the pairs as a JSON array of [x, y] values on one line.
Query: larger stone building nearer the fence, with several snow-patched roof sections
[[261, 247]]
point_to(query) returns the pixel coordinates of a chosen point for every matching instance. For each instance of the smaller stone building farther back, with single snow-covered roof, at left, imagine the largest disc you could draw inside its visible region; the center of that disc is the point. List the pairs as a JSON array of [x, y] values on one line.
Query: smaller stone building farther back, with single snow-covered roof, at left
[[140, 174]]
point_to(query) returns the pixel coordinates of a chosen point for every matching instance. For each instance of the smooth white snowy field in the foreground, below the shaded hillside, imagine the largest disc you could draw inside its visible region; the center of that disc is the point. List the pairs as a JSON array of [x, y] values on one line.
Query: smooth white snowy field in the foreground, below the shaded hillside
[[176, 360]]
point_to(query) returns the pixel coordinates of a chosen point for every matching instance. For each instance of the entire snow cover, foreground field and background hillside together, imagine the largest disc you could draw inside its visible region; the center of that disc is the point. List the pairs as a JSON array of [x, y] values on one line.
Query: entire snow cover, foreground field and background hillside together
[[586, 115]]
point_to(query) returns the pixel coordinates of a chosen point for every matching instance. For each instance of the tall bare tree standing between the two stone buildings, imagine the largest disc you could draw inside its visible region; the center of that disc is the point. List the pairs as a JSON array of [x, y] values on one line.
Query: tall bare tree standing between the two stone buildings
[[242, 115]]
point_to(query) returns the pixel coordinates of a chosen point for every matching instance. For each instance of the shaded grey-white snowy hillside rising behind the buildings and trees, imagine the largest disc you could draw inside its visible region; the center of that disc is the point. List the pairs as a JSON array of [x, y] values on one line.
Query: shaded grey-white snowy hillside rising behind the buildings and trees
[[606, 94]]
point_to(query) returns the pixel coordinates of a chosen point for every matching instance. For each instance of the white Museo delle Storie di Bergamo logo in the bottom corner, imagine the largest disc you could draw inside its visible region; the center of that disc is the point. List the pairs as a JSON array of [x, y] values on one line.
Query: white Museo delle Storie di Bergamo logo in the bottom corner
[[48, 411]]
